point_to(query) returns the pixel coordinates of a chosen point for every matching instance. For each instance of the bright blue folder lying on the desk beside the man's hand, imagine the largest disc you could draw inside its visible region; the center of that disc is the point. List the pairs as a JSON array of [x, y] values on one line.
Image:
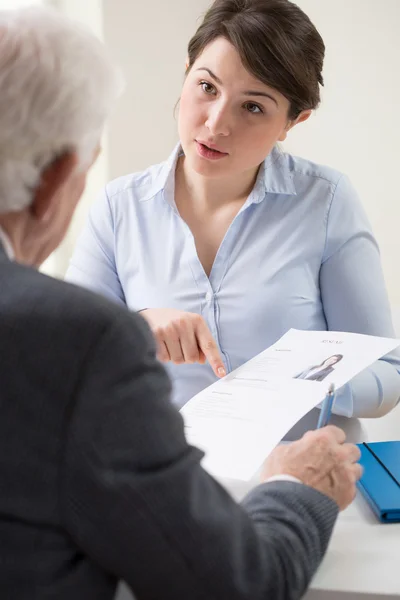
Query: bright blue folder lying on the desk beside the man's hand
[[380, 482]]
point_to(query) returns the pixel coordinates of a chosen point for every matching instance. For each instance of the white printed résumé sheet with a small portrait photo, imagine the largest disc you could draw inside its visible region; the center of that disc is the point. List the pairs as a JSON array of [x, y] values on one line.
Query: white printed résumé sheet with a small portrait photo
[[238, 420]]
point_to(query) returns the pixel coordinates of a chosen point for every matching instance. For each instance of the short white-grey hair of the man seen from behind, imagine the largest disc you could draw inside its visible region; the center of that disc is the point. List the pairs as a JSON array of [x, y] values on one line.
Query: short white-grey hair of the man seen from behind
[[57, 87]]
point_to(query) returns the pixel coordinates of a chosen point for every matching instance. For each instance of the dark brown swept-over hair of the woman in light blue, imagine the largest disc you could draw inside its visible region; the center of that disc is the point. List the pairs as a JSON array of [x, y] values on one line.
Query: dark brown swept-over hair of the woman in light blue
[[276, 41]]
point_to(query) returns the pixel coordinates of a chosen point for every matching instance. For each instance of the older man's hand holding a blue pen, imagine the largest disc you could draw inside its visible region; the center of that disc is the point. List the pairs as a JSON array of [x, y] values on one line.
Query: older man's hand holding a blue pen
[[321, 460]]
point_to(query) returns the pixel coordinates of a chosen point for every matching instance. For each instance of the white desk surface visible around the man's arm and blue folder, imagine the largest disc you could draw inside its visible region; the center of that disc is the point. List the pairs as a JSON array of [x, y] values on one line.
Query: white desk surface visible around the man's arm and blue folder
[[363, 558]]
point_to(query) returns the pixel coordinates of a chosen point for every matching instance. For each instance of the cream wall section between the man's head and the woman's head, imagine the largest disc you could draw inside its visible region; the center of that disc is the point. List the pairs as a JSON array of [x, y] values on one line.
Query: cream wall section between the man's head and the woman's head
[[149, 40]]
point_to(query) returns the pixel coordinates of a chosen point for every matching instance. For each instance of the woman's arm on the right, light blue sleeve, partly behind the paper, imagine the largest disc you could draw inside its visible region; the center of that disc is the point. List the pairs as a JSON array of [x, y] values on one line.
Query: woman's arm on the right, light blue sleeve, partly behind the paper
[[354, 298]]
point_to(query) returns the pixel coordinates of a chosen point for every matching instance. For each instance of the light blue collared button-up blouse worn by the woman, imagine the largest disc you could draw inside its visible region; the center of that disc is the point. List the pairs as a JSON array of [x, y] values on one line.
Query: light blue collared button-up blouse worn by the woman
[[300, 253]]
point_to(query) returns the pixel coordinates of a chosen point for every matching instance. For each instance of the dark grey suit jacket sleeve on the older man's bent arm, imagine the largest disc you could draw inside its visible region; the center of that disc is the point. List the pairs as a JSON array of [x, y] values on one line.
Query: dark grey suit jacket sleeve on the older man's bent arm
[[136, 500]]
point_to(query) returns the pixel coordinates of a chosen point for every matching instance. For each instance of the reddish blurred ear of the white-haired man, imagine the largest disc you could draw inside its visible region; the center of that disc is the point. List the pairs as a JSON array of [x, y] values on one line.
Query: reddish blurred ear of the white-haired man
[[51, 181]]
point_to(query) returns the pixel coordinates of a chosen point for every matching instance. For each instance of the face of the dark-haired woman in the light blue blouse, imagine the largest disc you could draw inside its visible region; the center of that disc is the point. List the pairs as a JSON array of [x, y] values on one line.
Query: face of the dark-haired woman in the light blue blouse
[[228, 120]]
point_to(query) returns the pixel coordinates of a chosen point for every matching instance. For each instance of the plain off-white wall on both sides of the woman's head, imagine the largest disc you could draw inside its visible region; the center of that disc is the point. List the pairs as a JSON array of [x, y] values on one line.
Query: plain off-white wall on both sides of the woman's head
[[356, 130]]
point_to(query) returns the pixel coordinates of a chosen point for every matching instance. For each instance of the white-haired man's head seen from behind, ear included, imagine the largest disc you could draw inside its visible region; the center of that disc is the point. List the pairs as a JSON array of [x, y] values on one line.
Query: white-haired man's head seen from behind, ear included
[[57, 87]]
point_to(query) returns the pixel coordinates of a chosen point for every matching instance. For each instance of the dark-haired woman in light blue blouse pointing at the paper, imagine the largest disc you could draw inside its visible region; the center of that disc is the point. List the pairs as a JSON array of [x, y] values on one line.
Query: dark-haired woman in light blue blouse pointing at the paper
[[231, 242]]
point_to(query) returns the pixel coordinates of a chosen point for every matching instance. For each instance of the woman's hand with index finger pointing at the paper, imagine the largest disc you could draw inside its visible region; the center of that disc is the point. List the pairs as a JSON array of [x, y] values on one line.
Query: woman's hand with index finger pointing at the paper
[[183, 337]]
